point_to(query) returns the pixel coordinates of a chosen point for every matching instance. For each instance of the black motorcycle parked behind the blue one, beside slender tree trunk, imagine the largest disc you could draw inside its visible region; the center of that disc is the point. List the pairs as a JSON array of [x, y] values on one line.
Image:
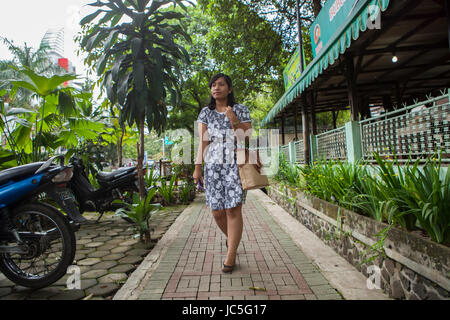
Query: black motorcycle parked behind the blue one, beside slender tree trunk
[[113, 186]]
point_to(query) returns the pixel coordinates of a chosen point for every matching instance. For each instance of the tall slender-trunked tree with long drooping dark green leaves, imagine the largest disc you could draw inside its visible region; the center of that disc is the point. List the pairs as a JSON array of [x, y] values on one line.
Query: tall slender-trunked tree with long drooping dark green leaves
[[139, 60]]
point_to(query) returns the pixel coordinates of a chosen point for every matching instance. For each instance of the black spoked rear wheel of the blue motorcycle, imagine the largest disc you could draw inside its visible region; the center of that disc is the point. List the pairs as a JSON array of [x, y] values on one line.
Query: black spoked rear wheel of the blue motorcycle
[[49, 254]]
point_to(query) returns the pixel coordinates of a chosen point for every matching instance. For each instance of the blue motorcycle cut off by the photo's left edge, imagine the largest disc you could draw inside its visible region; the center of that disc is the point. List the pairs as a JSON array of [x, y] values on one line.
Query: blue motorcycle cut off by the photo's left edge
[[37, 241]]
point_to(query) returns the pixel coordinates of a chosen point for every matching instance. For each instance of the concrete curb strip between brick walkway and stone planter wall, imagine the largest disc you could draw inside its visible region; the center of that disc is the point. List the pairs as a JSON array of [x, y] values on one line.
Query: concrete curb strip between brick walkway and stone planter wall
[[340, 274]]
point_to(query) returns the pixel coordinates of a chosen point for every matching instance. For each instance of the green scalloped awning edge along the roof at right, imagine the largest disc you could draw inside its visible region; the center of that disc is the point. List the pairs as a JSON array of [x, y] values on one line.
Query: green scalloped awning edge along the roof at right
[[357, 22]]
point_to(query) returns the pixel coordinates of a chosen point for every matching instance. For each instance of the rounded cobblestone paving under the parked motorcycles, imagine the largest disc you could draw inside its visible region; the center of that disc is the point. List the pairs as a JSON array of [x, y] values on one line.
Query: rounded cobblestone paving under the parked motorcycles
[[107, 253]]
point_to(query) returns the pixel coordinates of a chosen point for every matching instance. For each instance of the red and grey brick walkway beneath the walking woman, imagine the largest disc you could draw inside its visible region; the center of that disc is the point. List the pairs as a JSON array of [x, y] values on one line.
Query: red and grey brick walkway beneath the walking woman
[[267, 259]]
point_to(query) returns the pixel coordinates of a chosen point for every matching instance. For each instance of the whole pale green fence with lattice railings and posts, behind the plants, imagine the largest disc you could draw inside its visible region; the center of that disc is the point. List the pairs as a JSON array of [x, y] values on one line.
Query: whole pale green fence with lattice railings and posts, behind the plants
[[420, 130]]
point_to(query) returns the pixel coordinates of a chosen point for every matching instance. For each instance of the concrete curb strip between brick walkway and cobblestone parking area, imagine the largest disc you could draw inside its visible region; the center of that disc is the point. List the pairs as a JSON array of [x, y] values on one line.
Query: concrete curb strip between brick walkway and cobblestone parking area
[[137, 280]]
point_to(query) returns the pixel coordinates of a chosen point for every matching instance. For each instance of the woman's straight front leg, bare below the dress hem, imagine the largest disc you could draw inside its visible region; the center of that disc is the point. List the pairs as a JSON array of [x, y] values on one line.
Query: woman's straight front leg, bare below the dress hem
[[234, 231]]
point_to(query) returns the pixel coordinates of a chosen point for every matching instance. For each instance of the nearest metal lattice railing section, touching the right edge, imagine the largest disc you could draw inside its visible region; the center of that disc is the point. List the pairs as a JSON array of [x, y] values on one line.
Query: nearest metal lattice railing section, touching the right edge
[[419, 130]]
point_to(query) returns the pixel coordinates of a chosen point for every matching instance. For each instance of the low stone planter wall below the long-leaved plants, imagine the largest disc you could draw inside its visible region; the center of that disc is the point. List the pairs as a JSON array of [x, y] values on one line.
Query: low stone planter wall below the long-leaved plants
[[410, 268]]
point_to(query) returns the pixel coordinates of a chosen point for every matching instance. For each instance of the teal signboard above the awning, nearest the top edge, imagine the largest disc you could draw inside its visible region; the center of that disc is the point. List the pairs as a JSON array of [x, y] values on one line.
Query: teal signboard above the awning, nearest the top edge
[[332, 15]]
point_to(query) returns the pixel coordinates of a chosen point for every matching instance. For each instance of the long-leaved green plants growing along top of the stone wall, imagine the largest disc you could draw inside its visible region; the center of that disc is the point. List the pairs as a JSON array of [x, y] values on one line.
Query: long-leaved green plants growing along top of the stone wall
[[410, 196]]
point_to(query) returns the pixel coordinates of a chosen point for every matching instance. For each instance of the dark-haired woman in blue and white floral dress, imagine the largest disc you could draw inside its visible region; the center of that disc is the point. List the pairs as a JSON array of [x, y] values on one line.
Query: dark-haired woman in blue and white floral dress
[[217, 123]]
